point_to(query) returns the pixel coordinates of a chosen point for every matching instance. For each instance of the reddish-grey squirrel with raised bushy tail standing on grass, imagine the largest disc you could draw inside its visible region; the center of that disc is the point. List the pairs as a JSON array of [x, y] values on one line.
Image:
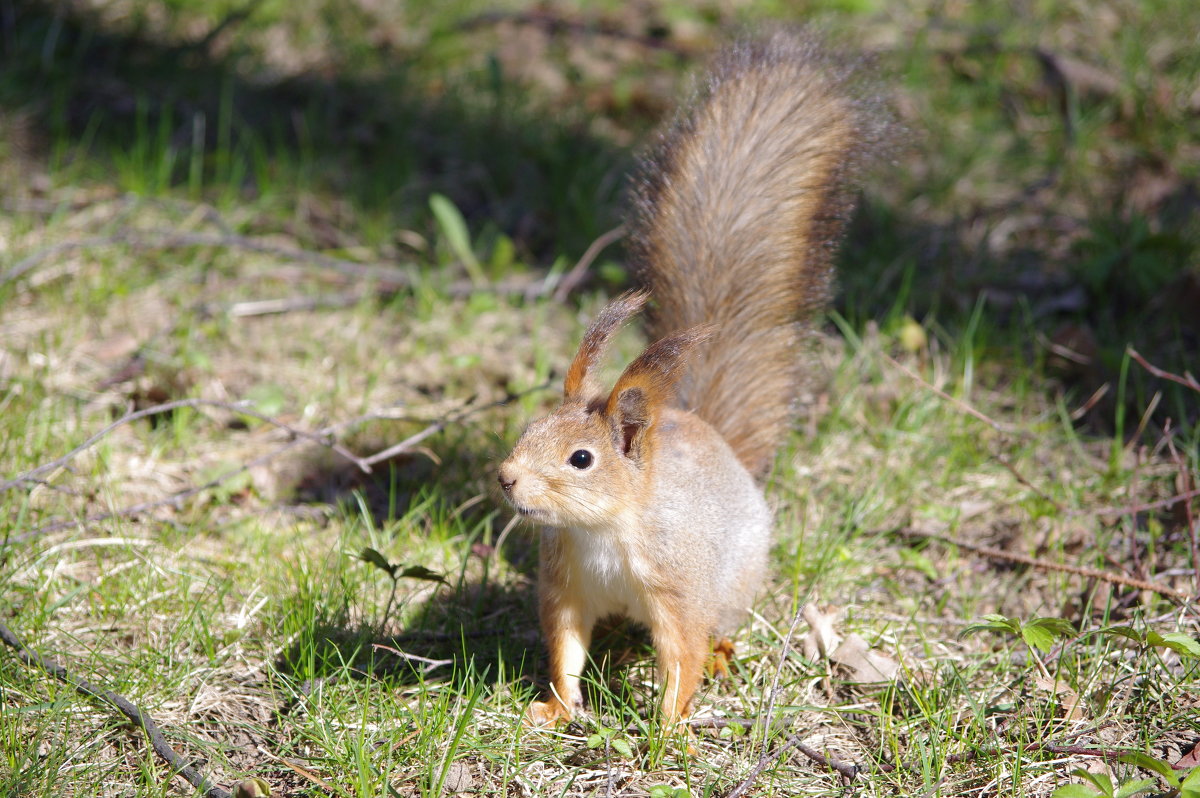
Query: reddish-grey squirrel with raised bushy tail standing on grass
[[650, 494]]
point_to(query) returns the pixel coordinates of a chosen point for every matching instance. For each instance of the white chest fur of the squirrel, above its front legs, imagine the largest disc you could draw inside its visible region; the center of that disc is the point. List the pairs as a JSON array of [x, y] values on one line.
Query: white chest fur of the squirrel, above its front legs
[[610, 583]]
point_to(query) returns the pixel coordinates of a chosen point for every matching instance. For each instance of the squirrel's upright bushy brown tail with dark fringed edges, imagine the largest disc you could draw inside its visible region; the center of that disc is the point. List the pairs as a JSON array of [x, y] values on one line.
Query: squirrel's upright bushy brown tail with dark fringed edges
[[740, 209]]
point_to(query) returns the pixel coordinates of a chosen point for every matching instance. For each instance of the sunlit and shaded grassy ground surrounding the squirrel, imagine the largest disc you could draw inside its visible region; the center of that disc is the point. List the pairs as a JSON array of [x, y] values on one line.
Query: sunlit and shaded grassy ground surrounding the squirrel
[[1022, 219]]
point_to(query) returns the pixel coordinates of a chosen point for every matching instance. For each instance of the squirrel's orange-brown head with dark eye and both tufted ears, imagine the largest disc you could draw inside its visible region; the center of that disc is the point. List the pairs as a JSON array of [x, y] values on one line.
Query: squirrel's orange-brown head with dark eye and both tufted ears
[[590, 461]]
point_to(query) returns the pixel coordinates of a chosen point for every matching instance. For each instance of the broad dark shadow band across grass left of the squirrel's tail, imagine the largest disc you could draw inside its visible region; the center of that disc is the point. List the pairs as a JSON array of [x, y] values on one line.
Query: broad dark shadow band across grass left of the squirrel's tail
[[188, 116]]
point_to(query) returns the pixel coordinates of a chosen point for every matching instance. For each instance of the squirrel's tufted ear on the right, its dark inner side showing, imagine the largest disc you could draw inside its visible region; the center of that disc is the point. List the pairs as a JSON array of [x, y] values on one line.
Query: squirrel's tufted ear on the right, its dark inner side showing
[[649, 385]]
